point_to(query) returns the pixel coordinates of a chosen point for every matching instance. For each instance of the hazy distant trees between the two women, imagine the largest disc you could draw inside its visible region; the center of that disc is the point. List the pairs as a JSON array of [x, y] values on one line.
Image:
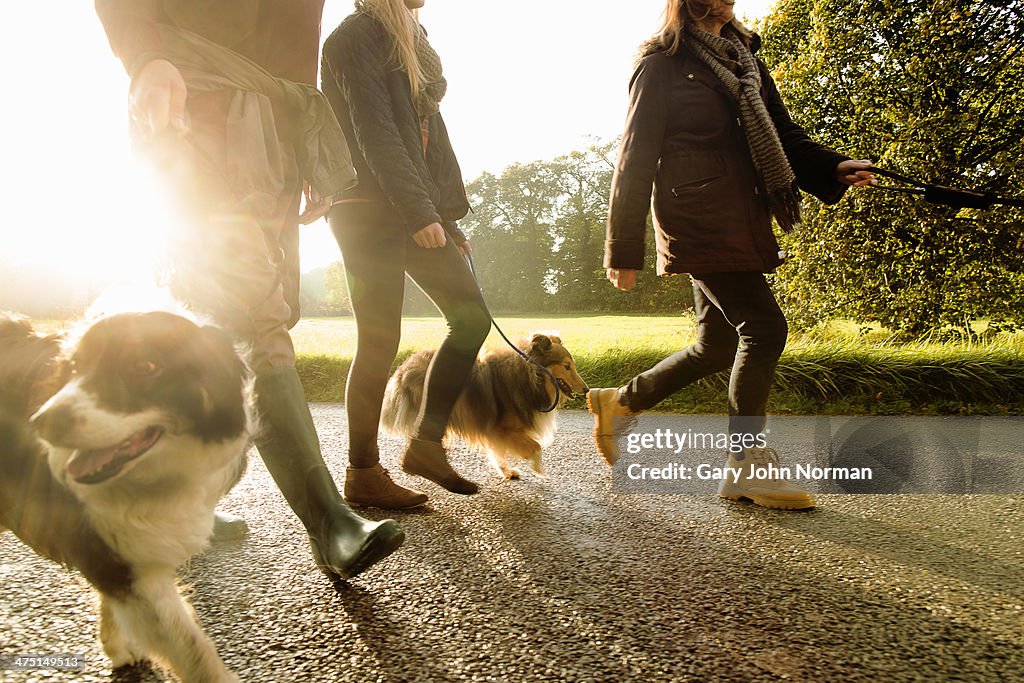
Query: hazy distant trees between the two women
[[538, 234]]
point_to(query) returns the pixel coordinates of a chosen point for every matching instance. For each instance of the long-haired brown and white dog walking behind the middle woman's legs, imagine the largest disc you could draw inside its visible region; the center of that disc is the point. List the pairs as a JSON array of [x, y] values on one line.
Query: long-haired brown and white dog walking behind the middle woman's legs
[[502, 409]]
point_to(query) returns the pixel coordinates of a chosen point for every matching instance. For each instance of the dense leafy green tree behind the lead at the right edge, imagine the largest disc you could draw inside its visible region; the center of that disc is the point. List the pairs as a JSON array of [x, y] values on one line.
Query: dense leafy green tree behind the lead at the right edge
[[930, 89]]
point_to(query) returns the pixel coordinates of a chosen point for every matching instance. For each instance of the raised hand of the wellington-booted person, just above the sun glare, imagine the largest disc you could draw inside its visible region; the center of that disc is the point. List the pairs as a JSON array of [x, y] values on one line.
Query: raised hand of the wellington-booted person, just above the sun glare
[[157, 100]]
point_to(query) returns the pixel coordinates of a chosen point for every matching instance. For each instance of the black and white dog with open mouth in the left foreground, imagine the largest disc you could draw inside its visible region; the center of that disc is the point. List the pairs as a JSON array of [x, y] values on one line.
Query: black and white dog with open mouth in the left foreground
[[145, 421]]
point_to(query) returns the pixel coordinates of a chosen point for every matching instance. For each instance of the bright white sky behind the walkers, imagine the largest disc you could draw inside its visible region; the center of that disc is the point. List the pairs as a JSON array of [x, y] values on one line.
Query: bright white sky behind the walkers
[[528, 80]]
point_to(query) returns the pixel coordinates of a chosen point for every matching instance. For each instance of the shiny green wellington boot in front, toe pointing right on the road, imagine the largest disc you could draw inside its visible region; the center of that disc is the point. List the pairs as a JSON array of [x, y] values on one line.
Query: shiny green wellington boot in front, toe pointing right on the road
[[344, 544]]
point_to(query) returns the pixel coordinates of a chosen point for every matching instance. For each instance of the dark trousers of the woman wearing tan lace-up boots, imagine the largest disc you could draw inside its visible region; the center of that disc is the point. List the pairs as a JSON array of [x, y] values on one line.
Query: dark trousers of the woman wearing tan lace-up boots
[[740, 326]]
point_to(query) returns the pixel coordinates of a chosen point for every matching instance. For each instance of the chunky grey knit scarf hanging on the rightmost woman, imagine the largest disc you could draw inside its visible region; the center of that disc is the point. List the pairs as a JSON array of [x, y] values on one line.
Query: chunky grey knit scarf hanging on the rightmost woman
[[735, 65]]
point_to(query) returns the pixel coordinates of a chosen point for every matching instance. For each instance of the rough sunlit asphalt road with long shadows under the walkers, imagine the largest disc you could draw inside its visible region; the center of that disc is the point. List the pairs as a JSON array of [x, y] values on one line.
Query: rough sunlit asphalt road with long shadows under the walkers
[[570, 579]]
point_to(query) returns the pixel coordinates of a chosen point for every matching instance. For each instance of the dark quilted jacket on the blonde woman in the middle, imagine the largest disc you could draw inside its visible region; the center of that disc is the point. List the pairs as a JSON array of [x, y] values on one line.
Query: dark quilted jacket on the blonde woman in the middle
[[374, 105]]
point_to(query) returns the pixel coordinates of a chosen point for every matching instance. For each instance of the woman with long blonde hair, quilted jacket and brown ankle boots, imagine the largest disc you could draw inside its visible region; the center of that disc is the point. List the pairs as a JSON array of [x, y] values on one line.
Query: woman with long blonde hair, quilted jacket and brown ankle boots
[[386, 83]]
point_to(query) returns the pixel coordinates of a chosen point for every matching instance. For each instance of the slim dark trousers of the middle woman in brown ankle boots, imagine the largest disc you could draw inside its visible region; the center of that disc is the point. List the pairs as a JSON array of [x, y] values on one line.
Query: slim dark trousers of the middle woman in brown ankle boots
[[378, 253]]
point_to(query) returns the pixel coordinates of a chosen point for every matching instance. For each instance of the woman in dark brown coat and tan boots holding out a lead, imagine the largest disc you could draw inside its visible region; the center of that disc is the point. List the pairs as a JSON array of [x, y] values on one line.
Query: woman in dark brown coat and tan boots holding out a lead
[[708, 132]]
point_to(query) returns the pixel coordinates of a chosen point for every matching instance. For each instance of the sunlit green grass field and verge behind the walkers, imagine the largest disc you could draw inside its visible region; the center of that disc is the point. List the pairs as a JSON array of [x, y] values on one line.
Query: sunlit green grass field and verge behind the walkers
[[838, 369]]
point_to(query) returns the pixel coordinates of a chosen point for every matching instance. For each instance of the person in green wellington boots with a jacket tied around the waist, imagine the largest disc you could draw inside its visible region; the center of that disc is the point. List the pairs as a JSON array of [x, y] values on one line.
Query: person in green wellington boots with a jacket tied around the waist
[[222, 101]]
